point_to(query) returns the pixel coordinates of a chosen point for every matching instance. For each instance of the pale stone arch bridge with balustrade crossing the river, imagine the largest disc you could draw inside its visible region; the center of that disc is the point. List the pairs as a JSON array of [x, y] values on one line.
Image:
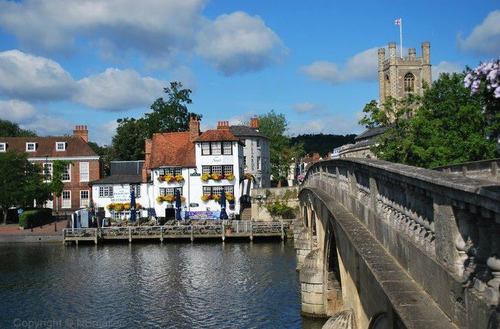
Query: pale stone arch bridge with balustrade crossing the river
[[384, 245]]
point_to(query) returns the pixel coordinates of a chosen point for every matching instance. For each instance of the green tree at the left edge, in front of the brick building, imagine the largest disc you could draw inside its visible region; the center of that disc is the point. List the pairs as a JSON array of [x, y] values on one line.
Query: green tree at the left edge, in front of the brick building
[[12, 178]]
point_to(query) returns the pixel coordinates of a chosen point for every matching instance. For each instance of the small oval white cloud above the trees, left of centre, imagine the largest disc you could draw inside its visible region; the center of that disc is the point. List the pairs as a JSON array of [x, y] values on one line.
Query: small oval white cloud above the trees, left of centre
[[118, 90]]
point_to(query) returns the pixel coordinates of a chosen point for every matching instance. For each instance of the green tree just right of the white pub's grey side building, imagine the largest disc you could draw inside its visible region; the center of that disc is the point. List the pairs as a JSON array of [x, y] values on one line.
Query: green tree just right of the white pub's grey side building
[[274, 126]]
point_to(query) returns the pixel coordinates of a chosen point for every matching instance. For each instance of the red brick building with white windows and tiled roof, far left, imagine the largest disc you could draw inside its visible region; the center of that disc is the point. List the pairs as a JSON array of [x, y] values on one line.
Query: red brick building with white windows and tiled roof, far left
[[84, 164]]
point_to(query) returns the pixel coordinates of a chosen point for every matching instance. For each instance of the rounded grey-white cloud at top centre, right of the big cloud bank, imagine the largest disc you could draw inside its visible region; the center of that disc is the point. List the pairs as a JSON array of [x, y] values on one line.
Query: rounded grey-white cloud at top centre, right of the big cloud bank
[[238, 43]]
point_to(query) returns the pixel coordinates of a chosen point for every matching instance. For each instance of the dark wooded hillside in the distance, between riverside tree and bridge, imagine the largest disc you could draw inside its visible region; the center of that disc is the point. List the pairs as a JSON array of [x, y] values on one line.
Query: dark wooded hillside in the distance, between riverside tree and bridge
[[321, 143]]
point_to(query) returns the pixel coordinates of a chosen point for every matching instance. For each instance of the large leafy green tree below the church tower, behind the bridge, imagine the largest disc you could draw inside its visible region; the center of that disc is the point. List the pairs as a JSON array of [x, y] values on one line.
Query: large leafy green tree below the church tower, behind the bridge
[[449, 127]]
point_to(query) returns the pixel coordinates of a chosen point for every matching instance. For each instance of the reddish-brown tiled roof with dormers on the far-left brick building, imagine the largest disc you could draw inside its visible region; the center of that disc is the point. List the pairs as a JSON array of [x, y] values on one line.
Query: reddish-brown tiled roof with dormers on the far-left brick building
[[46, 146]]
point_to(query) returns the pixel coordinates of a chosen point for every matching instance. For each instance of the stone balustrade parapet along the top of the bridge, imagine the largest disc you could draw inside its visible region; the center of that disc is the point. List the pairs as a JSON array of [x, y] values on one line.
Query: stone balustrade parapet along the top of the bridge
[[453, 219]]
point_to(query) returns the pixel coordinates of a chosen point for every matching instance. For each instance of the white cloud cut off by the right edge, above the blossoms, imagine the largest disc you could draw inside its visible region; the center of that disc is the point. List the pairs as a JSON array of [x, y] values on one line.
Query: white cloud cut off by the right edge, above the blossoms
[[484, 38]]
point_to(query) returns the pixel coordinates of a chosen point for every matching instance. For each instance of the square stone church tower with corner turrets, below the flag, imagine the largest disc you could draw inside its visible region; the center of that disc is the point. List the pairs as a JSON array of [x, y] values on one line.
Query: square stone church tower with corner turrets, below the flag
[[399, 77]]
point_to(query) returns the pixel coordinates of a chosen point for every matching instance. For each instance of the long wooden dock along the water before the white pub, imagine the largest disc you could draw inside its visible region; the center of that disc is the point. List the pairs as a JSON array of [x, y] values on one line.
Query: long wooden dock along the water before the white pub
[[187, 231]]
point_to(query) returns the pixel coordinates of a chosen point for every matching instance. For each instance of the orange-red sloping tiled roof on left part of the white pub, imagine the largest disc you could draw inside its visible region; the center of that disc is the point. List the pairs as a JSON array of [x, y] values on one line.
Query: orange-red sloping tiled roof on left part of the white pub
[[171, 149]]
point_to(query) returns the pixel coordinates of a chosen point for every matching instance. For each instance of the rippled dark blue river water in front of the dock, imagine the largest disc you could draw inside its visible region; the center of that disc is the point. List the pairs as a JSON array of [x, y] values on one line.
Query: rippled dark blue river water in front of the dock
[[172, 285]]
